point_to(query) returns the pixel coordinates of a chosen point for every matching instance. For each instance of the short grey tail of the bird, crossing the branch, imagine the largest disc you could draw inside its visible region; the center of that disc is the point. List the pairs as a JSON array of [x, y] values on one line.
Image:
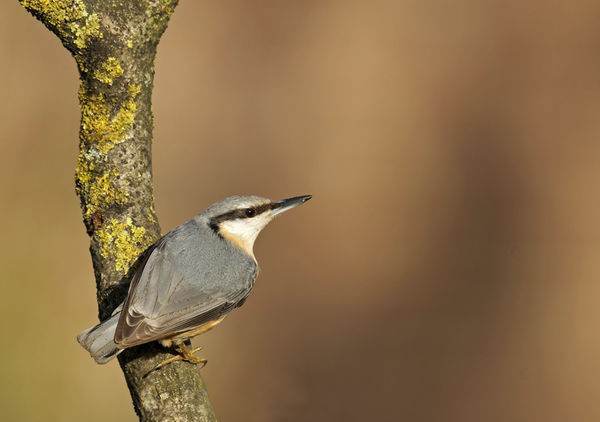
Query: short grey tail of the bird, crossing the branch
[[99, 340]]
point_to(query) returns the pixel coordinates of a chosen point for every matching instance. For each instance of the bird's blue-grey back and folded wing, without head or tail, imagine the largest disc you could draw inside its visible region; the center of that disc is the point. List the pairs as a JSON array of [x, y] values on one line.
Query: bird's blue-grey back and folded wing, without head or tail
[[190, 278]]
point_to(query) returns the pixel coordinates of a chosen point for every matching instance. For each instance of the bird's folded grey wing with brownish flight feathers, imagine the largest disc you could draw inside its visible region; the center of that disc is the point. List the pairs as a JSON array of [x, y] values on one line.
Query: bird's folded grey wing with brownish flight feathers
[[162, 301]]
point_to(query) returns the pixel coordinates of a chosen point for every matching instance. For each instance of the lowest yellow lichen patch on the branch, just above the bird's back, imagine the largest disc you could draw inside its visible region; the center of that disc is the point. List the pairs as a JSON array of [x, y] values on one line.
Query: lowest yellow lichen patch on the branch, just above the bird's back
[[122, 241]]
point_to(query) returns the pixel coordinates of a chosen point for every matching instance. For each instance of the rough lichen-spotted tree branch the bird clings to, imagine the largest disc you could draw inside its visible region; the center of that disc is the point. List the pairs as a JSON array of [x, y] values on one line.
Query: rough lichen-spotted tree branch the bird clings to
[[114, 45]]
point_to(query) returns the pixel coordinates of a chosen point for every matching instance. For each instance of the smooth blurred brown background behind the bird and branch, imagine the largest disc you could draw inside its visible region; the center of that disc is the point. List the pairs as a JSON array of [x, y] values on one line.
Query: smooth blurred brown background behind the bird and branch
[[447, 268]]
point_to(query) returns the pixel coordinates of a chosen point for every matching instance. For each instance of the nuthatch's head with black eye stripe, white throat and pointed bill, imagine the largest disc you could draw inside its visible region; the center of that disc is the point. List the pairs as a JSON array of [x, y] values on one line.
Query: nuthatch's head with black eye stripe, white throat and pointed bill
[[239, 219]]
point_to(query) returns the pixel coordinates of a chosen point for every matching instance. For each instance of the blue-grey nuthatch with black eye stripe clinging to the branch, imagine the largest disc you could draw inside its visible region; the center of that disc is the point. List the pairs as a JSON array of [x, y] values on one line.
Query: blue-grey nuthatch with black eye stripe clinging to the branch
[[189, 280]]
